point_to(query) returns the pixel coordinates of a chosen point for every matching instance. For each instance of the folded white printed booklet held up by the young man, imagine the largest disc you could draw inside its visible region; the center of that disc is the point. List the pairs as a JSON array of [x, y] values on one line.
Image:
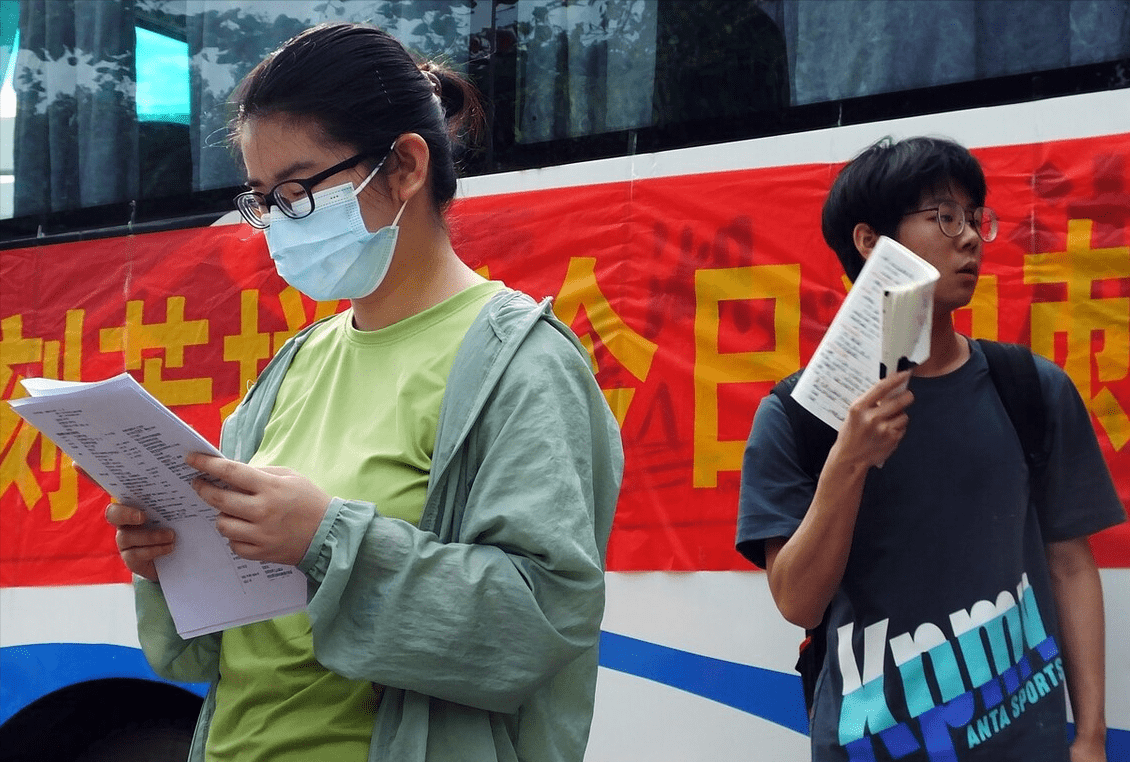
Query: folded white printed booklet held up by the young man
[[883, 326]]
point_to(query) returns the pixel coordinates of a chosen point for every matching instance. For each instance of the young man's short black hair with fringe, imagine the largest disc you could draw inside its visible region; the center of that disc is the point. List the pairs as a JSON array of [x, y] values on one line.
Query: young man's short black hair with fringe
[[886, 181]]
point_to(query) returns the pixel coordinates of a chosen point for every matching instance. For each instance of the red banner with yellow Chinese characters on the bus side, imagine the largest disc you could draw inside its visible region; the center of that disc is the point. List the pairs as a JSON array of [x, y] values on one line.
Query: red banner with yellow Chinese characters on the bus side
[[694, 295]]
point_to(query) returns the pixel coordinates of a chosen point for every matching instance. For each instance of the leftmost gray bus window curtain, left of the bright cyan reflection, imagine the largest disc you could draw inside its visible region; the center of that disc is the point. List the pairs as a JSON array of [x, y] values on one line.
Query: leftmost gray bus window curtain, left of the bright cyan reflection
[[76, 132]]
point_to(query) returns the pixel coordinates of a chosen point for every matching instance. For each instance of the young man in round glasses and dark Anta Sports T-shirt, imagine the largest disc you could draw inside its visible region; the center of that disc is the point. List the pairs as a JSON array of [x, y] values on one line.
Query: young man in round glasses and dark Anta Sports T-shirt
[[958, 600]]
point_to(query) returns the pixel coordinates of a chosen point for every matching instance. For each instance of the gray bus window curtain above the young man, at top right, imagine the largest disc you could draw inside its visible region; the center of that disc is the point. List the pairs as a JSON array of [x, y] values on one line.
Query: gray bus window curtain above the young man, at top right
[[854, 48]]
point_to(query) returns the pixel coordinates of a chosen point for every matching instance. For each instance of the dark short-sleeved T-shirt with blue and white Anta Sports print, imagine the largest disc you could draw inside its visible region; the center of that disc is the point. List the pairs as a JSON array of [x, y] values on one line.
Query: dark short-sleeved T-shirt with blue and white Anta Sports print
[[943, 639]]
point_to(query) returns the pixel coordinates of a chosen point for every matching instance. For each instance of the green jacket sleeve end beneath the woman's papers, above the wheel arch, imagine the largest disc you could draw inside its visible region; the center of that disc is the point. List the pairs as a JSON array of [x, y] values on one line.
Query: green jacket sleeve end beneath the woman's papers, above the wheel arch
[[196, 661]]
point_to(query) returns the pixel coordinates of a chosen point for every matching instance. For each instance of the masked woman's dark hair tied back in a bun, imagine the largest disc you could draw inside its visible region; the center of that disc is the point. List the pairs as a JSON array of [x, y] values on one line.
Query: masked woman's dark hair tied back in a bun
[[364, 90]]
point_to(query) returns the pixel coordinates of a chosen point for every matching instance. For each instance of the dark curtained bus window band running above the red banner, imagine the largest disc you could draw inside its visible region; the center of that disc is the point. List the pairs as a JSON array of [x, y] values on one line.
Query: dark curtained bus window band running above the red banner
[[120, 106]]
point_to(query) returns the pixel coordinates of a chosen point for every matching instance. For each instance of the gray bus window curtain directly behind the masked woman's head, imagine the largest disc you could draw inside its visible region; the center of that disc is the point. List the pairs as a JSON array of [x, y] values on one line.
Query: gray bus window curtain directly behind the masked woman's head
[[229, 38]]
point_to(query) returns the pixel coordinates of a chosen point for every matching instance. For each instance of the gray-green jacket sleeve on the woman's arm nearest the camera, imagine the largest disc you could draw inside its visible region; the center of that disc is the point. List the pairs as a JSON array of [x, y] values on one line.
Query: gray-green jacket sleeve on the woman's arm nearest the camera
[[518, 593]]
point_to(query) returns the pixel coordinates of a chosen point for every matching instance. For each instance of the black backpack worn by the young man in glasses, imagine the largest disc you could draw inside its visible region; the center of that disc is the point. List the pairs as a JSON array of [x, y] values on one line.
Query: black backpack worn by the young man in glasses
[[1014, 375]]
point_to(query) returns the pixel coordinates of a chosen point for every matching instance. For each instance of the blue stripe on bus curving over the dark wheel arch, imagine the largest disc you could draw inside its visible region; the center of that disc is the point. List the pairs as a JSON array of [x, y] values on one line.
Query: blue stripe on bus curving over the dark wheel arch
[[33, 672]]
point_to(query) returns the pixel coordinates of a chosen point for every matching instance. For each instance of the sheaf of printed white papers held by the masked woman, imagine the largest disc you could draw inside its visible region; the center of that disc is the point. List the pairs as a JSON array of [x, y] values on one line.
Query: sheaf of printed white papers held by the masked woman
[[135, 448]]
